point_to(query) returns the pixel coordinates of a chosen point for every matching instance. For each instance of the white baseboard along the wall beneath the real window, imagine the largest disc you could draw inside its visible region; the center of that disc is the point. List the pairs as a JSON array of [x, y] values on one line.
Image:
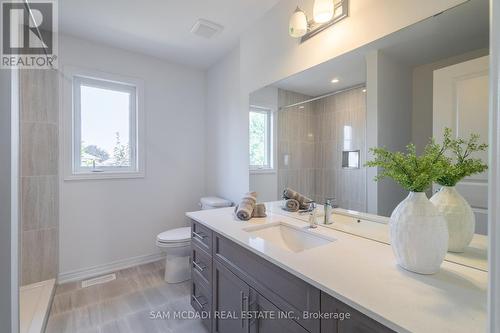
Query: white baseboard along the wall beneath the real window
[[114, 266]]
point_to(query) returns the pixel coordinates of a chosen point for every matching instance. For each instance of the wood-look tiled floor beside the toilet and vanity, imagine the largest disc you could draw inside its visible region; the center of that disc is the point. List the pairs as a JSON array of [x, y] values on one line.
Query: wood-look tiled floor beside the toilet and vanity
[[123, 305]]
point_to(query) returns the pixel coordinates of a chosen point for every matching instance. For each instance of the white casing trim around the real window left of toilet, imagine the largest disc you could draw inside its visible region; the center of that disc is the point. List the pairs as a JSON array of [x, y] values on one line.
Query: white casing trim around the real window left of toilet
[[68, 124]]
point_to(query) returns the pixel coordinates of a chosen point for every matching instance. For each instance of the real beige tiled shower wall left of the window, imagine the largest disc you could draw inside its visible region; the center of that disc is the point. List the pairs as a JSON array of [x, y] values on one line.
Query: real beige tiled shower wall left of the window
[[39, 207]]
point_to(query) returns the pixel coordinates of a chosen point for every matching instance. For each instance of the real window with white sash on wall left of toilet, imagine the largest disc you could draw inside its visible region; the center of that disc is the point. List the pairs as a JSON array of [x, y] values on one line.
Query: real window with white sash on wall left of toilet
[[104, 126]]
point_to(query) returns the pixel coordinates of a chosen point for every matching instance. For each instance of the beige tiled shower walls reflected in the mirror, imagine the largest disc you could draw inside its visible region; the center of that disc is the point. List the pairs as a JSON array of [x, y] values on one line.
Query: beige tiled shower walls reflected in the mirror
[[314, 137]]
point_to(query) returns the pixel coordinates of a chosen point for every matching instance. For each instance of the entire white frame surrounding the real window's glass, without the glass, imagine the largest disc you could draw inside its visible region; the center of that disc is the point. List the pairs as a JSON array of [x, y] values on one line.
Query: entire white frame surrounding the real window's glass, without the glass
[[71, 122]]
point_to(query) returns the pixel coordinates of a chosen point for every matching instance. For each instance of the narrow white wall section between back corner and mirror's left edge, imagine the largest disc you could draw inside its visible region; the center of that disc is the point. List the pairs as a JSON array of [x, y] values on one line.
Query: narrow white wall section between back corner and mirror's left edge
[[227, 130]]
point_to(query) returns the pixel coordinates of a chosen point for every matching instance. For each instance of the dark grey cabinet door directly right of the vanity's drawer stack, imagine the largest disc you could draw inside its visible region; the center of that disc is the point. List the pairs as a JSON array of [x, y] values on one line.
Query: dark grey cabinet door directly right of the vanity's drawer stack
[[231, 300]]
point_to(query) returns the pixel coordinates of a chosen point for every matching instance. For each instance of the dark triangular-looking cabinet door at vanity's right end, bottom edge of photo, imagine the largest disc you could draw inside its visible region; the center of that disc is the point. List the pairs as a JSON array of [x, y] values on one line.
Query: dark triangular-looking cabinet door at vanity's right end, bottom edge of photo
[[356, 322]]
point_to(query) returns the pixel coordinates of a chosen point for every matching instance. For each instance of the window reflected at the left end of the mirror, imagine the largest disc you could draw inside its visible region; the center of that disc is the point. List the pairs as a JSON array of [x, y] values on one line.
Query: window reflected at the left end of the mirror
[[260, 139]]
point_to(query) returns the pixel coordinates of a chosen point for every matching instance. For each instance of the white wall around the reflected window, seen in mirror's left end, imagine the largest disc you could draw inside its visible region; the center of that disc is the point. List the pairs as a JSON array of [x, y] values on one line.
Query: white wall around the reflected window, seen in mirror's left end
[[266, 183]]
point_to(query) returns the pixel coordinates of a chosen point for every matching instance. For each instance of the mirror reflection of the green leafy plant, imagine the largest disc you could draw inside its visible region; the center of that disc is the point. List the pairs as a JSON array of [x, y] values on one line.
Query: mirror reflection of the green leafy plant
[[461, 165]]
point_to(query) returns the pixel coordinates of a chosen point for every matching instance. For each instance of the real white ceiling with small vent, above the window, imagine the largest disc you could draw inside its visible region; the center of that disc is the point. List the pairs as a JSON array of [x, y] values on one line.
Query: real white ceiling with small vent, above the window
[[161, 28]]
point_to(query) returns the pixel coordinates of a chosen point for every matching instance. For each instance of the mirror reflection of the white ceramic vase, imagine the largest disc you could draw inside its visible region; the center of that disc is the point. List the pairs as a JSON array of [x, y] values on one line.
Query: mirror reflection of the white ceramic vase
[[459, 217]]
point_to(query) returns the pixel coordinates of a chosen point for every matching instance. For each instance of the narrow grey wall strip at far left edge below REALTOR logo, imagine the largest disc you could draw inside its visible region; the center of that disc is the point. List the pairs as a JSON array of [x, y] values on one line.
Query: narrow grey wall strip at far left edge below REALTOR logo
[[7, 285]]
